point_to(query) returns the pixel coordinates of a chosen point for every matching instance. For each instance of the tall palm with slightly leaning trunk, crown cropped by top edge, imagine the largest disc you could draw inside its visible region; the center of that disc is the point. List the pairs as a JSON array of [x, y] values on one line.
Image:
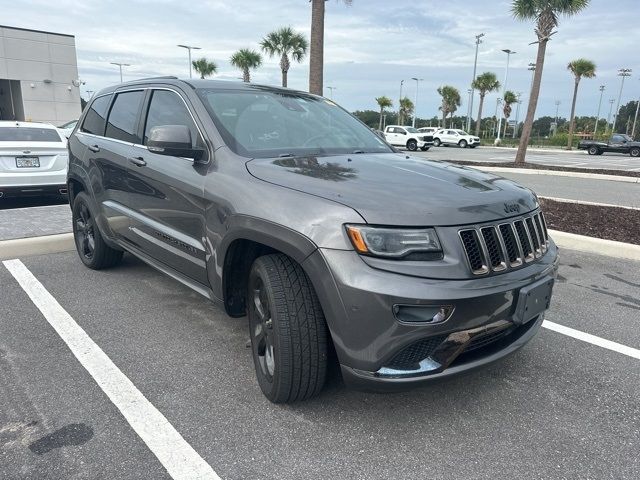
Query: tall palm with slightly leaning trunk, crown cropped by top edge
[[545, 13]]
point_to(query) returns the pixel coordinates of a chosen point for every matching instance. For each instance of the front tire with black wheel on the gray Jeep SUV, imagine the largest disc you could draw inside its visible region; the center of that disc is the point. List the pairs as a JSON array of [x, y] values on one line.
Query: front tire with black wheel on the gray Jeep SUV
[[289, 338]]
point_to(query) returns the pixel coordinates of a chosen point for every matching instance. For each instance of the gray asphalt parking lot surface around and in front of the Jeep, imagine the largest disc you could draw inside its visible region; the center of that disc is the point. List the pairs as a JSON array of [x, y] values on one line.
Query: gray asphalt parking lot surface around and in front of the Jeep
[[559, 408]]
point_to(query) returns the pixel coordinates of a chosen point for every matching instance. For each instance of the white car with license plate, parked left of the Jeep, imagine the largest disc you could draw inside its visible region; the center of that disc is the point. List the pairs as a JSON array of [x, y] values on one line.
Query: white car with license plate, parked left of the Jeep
[[33, 159]]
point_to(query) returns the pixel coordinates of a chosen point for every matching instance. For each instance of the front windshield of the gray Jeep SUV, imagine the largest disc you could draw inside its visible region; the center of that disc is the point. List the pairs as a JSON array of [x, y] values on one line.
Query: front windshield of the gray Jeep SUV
[[266, 124]]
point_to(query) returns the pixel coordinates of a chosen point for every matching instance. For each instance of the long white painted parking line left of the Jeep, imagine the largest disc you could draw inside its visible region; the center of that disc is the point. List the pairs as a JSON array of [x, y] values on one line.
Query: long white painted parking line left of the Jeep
[[175, 454]]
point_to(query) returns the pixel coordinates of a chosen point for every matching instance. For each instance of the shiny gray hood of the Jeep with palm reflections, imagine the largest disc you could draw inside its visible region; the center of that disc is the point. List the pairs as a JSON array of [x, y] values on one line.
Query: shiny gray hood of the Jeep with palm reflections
[[394, 189]]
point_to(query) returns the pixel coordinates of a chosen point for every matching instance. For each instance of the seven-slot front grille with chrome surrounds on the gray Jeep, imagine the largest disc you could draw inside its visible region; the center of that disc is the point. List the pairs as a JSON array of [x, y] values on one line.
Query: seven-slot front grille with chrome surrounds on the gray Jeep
[[497, 248]]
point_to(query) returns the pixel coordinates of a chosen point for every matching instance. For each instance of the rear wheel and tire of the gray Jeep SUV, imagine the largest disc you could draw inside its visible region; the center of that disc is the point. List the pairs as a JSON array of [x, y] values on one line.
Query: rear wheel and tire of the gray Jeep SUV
[[91, 247]]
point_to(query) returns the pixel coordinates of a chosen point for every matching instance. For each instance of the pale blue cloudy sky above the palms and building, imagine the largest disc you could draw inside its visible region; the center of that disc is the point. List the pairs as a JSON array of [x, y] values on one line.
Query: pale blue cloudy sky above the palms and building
[[370, 46]]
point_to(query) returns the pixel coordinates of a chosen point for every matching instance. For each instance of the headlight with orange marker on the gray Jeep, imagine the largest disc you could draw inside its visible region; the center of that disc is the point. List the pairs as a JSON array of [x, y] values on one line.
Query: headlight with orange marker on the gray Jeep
[[392, 242]]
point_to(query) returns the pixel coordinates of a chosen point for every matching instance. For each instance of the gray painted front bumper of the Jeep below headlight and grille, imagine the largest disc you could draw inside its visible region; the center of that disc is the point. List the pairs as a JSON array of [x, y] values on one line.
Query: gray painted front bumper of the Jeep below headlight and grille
[[359, 302]]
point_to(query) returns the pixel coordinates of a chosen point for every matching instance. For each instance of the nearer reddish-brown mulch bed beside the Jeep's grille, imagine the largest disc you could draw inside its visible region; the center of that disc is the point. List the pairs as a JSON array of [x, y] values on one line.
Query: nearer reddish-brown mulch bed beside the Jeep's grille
[[610, 223]]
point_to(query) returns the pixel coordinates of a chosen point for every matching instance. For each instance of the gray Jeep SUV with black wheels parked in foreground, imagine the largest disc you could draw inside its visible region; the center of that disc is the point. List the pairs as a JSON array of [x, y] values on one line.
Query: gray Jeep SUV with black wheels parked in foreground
[[281, 206]]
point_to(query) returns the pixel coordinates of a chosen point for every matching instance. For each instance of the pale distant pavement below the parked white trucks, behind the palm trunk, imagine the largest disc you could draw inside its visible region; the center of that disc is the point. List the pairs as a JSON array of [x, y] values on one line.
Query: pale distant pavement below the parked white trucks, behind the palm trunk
[[574, 158]]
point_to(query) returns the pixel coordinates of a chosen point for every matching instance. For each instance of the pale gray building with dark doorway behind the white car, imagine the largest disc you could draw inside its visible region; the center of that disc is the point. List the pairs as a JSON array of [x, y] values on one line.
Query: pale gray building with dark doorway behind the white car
[[38, 76]]
